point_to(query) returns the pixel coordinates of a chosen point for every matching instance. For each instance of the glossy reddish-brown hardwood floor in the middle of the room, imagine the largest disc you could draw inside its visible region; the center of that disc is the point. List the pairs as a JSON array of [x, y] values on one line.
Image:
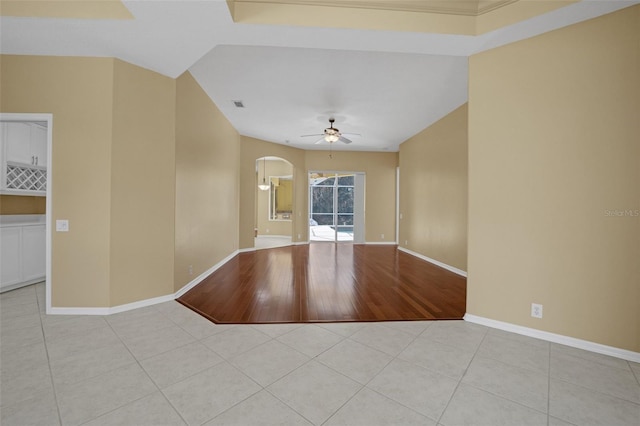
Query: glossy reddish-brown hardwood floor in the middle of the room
[[328, 282]]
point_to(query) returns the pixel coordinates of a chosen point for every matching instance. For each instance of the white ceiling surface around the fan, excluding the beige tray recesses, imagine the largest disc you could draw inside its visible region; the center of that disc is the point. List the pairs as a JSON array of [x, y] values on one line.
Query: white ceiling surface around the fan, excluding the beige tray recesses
[[385, 85]]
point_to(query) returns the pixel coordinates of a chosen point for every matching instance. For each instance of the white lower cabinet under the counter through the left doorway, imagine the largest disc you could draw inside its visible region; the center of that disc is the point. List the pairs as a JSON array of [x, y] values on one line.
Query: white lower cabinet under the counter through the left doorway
[[22, 255]]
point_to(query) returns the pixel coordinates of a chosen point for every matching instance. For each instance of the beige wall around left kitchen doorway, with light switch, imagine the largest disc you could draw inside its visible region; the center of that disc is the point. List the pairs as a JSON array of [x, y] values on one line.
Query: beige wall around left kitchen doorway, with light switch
[[79, 94]]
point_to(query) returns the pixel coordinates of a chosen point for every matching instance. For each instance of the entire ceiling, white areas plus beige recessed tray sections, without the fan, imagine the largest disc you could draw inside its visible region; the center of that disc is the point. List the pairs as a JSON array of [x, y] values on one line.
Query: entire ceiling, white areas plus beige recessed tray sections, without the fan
[[319, 61]]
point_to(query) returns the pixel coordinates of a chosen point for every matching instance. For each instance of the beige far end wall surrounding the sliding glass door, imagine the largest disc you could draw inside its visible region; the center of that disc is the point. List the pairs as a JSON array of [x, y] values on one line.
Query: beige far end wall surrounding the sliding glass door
[[380, 183]]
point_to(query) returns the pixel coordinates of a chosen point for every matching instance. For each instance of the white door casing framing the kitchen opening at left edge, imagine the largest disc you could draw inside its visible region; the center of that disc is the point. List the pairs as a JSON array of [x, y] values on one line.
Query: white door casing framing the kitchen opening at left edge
[[48, 212]]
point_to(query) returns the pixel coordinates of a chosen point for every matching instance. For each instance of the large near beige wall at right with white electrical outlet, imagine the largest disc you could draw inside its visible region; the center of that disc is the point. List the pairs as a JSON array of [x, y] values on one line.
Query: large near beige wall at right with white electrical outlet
[[553, 146]]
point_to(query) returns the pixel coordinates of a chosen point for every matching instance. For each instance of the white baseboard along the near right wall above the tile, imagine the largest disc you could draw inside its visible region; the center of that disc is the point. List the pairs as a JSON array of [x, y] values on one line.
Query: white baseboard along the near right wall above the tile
[[556, 338]]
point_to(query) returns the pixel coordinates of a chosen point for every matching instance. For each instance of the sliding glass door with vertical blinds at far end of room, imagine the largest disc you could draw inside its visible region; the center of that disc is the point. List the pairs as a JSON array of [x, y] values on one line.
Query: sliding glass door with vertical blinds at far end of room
[[336, 207]]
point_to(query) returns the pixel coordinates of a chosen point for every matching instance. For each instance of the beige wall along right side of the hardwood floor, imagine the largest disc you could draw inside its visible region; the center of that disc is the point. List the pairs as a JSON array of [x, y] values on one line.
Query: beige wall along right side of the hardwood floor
[[433, 190]]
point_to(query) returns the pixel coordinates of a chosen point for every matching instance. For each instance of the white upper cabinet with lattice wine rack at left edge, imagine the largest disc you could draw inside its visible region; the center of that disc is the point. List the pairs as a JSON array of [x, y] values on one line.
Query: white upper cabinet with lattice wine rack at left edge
[[23, 146]]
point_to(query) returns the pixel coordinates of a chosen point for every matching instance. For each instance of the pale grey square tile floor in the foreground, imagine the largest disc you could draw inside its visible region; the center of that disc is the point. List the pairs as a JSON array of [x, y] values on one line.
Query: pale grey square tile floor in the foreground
[[165, 365]]
